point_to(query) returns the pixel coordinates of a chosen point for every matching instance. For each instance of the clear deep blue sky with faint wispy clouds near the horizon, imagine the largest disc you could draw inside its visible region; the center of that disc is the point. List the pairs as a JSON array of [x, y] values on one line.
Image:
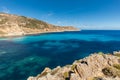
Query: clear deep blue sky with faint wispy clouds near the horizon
[[84, 14]]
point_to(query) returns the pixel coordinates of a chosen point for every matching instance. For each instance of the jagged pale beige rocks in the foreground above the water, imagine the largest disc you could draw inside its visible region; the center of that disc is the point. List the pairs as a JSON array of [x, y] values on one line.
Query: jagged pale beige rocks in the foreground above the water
[[95, 67]]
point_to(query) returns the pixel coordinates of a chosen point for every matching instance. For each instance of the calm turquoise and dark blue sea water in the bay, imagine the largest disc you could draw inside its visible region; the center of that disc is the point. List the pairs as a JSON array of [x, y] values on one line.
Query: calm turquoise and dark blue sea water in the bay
[[21, 57]]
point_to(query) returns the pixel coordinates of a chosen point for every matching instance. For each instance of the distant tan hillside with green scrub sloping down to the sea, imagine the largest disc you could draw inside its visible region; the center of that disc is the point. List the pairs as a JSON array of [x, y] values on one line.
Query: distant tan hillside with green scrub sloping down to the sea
[[13, 25]]
